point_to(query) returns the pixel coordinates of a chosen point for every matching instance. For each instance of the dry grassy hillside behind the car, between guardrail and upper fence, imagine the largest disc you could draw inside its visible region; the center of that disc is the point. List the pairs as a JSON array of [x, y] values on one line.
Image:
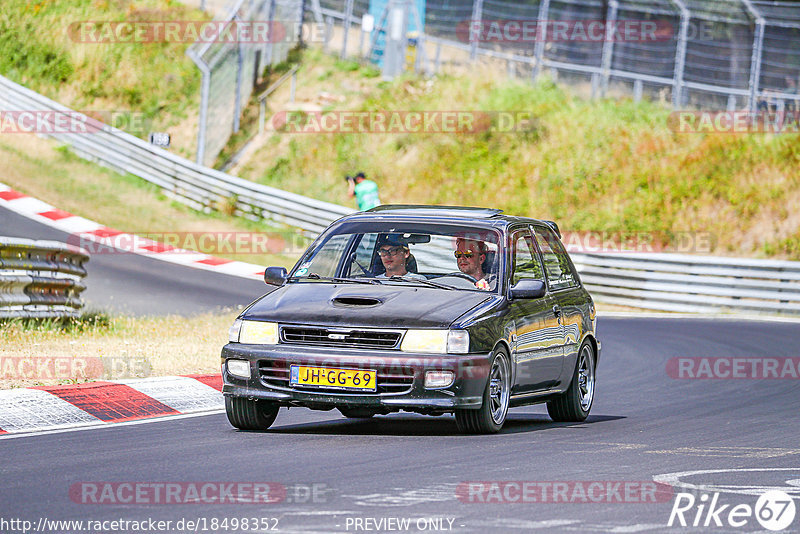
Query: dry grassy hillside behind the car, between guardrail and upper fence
[[609, 165]]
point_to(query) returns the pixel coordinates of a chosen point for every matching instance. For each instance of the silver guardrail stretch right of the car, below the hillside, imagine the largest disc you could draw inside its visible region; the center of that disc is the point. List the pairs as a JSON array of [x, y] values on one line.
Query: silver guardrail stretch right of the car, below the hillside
[[693, 284]]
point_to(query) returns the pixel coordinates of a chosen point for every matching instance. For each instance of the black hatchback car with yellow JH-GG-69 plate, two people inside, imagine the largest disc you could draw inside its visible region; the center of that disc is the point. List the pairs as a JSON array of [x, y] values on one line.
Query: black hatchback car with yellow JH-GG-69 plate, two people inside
[[427, 309]]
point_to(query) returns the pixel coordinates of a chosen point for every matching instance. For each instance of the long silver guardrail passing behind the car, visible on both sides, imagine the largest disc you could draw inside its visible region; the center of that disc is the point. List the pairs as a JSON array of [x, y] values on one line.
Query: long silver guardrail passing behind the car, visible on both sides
[[653, 281]]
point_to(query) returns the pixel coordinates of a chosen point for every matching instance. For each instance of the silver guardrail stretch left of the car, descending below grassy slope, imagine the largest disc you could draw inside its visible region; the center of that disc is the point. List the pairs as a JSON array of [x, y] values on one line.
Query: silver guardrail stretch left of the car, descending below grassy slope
[[200, 187]]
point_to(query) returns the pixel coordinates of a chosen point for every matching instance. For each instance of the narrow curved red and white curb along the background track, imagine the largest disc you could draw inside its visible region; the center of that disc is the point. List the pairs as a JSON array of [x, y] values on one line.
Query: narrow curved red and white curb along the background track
[[89, 230]]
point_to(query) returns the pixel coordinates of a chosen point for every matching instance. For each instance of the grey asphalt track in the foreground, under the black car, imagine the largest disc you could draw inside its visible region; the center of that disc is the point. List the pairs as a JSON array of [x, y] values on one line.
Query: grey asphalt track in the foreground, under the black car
[[643, 424]]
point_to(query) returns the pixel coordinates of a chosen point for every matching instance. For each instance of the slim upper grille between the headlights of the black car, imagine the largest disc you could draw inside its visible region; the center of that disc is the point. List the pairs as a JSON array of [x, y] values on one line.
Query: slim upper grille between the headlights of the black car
[[340, 337]]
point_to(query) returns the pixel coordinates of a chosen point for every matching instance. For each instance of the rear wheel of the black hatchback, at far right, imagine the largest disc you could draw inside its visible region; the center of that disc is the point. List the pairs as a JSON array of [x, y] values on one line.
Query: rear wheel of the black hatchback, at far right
[[574, 405]]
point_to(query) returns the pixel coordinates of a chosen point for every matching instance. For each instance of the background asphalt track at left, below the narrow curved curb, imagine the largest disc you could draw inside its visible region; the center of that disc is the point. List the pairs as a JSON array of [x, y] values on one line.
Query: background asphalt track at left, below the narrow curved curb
[[138, 285]]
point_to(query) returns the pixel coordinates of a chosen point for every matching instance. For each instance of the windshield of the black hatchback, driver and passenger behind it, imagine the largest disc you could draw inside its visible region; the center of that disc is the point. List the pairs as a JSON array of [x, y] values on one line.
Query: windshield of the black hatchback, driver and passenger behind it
[[433, 255]]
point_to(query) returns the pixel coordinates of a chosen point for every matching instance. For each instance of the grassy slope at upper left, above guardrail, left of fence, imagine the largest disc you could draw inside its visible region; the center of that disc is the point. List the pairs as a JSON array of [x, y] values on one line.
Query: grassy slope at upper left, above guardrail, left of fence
[[157, 80]]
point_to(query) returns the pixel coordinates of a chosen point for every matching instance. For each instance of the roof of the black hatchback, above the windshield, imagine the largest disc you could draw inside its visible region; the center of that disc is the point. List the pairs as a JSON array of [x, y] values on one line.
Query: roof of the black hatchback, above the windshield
[[462, 214]]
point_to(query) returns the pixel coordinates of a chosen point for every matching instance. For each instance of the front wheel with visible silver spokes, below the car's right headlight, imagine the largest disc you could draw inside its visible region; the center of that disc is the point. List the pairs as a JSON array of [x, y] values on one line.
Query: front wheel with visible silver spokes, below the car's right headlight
[[489, 418]]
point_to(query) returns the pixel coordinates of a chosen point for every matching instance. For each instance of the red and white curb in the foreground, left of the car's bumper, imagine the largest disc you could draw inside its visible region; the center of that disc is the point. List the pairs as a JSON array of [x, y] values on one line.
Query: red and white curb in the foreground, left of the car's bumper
[[106, 403]]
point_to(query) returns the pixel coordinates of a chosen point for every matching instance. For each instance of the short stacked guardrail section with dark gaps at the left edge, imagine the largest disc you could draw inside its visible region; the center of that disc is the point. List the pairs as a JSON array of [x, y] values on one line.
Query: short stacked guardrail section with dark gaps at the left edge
[[40, 278]]
